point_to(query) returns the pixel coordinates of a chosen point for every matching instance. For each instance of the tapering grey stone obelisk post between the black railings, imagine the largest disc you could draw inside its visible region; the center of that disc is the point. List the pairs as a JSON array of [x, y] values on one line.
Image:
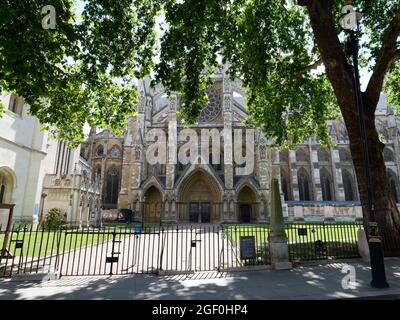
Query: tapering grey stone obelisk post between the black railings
[[278, 239]]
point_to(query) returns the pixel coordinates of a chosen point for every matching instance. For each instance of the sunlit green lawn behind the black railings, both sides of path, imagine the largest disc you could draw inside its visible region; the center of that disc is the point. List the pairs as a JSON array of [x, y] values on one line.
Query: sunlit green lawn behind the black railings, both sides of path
[[338, 238]]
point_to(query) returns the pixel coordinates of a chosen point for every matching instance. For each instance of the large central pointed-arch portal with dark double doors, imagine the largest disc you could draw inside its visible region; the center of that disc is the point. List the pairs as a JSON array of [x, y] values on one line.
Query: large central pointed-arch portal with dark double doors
[[200, 196]]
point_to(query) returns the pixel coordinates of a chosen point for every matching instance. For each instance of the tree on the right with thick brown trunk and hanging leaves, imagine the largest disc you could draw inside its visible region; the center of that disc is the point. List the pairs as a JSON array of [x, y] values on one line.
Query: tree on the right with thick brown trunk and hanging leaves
[[274, 47]]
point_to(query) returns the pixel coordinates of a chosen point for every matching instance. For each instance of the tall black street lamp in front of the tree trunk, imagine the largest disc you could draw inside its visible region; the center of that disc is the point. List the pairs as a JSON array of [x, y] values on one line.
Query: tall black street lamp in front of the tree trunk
[[350, 22]]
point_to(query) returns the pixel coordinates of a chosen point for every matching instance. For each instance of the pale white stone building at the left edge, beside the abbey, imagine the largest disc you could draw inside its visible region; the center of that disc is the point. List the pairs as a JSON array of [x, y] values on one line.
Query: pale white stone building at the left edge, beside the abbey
[[38, 173]]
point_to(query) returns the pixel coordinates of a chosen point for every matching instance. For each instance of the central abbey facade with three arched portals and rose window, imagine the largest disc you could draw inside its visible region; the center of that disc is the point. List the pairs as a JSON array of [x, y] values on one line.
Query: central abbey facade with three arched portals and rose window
[[176, 192]]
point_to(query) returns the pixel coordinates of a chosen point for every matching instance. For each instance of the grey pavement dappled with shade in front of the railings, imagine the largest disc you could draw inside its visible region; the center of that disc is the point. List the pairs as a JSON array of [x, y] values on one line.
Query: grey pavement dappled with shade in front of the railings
[[311, 282]]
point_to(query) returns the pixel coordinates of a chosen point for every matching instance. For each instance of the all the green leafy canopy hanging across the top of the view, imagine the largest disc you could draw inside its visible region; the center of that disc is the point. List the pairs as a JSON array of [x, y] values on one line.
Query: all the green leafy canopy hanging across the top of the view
[[84, 70]]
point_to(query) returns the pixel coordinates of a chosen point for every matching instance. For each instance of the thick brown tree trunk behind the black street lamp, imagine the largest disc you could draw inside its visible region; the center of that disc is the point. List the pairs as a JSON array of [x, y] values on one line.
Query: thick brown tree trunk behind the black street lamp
[[339, 73]]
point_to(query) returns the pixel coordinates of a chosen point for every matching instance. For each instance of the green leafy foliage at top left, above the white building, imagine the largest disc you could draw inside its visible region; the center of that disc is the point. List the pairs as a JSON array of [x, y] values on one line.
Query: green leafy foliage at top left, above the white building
[[80, 71]]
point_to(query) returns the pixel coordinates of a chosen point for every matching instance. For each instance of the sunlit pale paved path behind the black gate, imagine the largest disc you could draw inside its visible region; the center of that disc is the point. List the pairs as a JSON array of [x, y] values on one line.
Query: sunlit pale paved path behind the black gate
[[170, 250]]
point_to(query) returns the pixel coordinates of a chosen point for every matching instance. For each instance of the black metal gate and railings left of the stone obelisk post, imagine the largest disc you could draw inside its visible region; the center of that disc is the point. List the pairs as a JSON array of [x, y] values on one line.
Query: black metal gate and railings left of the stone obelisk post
[[129, 250]]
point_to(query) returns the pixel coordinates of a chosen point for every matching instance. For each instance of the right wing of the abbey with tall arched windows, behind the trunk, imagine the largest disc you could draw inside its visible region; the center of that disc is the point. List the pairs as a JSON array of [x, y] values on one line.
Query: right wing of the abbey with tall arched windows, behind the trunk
[[320, 182]]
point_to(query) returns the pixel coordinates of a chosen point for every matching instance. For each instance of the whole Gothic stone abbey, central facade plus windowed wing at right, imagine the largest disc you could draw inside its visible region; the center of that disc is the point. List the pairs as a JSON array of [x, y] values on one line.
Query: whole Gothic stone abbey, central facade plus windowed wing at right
[[316, 182]]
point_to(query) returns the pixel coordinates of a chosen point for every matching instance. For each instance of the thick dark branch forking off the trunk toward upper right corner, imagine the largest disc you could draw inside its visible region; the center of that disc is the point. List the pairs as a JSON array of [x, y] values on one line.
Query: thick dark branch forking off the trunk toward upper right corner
[[387, 56]]
